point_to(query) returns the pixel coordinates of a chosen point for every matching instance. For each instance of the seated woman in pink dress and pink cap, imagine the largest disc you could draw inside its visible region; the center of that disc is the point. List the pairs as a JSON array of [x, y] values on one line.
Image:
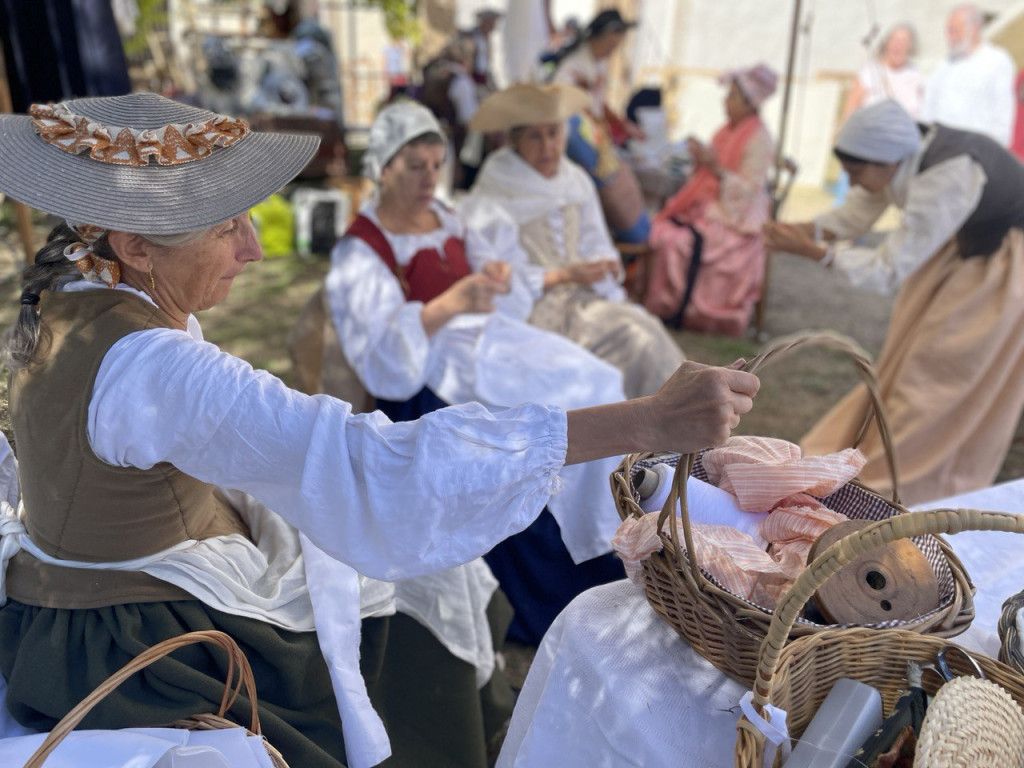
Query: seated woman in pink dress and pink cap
[[709, 259]]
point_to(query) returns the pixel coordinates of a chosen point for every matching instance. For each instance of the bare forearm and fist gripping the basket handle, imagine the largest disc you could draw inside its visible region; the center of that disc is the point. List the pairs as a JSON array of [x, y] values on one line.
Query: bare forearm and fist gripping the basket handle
[[698, 408]]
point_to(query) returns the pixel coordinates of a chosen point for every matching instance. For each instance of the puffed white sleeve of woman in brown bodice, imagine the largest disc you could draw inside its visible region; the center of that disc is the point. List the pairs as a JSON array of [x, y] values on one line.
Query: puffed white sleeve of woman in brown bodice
[[394, 501]]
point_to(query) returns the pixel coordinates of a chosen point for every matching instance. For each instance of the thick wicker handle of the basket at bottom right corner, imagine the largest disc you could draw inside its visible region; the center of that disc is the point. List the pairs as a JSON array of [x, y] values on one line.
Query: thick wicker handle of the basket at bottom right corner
[[846, 550]]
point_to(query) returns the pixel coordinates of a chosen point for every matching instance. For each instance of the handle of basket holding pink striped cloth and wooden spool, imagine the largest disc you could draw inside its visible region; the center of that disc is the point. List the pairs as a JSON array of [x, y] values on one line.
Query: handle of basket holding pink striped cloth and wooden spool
[[770, 355]]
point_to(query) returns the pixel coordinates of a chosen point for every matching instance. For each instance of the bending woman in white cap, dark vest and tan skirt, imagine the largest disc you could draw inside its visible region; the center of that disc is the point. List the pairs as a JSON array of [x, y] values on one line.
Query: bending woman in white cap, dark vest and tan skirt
[[952, 370]]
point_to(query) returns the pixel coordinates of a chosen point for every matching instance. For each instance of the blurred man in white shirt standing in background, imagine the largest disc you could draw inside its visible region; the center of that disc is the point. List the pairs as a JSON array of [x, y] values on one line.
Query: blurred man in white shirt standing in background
[[973, 89]]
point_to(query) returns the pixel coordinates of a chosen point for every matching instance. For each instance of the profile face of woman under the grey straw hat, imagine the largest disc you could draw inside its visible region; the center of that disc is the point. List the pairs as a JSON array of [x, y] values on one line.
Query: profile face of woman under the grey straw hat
[[199, 276]]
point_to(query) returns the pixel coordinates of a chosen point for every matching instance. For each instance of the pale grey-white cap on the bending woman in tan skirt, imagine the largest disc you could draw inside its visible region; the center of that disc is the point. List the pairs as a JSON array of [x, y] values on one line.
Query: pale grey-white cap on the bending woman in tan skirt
[[880, 134]]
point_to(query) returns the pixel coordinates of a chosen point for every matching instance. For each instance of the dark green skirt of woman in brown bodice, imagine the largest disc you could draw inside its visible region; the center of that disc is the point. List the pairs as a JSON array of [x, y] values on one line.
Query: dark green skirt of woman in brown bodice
[[53, 659]]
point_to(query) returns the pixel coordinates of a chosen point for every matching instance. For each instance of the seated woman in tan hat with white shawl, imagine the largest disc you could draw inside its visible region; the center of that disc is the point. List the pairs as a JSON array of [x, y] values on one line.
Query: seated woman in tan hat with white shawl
[[574, 271]]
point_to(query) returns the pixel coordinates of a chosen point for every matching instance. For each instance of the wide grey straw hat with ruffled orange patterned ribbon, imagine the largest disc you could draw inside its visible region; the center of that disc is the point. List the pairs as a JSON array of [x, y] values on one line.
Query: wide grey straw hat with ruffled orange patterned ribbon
[[143, 163]]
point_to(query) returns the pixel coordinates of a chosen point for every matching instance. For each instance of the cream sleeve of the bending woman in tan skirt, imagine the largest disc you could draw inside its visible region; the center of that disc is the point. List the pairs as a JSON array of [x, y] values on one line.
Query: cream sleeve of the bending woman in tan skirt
[[940, 201]]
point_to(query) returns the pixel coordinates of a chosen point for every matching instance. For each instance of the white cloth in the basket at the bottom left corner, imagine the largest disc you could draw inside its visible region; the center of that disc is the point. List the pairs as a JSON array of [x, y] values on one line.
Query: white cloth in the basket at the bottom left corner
[[145, 748]]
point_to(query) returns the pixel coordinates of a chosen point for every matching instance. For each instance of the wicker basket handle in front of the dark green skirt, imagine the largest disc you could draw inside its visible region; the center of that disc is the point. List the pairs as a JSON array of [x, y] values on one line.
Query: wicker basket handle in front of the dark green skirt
[[236, 660]]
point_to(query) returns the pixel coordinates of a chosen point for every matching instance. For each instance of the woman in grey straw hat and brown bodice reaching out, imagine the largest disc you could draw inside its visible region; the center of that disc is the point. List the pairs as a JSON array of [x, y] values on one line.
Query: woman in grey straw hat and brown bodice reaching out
[[127, 423]]
